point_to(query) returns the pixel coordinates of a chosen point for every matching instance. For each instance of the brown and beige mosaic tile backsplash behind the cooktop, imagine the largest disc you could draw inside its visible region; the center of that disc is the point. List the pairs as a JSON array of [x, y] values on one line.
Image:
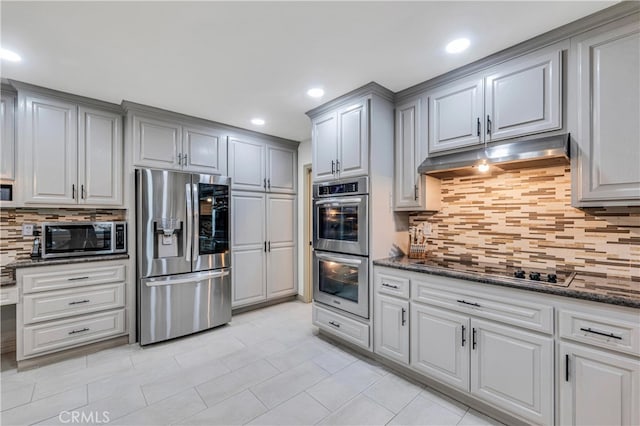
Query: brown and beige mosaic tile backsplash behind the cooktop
[[524, 218]]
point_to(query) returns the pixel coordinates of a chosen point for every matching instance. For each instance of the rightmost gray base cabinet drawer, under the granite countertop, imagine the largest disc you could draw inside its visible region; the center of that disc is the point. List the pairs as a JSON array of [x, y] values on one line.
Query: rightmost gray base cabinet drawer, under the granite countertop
[[614, 334]]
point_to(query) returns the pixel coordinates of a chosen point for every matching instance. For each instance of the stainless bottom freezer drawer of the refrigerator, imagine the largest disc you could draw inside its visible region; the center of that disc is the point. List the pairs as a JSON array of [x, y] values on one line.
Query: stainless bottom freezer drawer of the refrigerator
[[178, 305]]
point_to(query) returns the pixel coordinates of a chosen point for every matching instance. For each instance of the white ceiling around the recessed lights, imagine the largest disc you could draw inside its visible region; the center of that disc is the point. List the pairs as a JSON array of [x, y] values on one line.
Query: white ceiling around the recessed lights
[[231, 61]]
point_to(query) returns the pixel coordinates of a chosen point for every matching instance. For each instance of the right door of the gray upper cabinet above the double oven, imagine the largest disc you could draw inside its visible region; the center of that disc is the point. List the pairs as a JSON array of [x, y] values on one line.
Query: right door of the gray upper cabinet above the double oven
[[353, 145]]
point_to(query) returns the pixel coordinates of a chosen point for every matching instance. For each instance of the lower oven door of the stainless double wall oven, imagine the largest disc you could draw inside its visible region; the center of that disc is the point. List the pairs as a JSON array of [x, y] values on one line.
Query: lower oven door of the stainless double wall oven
[[342, 281]]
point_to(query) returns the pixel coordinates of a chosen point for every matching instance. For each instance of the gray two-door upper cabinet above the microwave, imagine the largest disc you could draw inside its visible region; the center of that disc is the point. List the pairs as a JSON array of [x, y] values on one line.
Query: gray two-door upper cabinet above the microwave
[[72, 154]]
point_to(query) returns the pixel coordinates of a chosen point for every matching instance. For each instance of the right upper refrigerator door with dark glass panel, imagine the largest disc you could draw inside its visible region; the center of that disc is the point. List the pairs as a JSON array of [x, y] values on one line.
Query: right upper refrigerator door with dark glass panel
[[211, 222]]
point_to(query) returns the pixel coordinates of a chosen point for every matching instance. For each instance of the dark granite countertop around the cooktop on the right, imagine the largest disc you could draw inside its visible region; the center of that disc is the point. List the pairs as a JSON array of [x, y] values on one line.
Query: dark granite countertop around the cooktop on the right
[[597, 288]]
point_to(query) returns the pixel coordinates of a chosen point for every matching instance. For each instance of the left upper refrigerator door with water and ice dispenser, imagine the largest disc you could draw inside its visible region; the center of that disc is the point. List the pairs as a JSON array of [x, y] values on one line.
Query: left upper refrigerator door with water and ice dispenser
[[164, 228]]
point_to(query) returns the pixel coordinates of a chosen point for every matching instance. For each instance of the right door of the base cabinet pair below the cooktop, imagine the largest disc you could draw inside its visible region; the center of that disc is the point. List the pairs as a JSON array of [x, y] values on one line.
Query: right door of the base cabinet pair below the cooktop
[[513, 369]]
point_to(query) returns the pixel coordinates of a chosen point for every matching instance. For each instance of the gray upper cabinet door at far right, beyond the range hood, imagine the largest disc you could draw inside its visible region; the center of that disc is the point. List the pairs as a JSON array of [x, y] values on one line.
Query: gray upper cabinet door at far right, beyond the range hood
[[608, 109]]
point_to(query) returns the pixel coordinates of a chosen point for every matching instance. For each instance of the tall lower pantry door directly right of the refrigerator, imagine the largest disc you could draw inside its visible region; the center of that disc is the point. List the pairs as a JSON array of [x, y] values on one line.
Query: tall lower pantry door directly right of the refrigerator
[[248, 238]]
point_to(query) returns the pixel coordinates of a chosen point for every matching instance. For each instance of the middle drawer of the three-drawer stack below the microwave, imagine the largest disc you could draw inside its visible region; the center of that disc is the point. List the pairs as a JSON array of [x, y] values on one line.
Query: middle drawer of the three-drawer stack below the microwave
[[65, 303]]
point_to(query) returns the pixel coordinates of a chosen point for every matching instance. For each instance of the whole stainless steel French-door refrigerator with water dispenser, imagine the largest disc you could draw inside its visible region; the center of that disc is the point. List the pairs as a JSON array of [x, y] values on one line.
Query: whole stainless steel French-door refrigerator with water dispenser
[[183, 252]]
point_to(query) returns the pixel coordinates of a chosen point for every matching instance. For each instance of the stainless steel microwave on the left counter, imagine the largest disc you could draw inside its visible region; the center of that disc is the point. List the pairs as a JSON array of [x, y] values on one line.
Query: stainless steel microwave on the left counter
[[70, 239]]
